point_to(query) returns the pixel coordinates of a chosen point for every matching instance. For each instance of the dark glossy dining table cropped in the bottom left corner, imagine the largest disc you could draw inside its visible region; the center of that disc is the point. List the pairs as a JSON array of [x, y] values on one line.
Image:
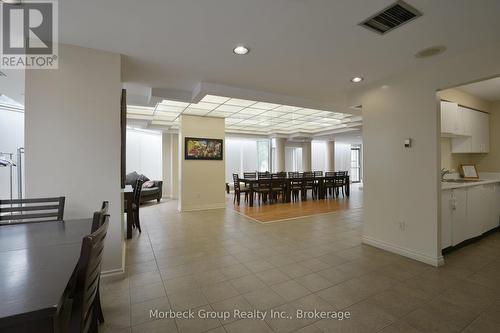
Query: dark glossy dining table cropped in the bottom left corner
[[36, 262]]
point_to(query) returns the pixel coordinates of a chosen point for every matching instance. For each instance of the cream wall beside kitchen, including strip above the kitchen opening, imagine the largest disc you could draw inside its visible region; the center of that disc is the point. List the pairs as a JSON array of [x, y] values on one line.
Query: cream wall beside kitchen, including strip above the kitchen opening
[[402, 185]]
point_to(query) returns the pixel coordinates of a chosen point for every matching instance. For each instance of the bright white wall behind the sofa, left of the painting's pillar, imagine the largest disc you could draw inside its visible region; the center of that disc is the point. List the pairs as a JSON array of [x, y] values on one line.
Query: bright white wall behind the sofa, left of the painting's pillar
[[144, 153]]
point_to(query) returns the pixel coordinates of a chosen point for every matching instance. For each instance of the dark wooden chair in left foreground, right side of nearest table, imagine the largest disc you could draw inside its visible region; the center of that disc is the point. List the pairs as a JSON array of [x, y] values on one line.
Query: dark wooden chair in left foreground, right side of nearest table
[[78, 312]]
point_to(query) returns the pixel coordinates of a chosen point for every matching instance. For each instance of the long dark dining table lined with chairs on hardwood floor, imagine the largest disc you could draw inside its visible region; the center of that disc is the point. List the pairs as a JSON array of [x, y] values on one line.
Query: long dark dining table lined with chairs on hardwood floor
[[252, 182]]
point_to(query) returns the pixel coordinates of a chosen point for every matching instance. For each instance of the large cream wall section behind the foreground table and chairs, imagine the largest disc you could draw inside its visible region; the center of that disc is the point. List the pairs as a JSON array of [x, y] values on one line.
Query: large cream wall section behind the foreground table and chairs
[[72, 123]]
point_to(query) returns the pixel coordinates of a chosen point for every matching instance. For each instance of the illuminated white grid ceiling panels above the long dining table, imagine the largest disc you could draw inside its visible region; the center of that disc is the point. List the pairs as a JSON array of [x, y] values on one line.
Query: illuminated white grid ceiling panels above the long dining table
[[245, 116]]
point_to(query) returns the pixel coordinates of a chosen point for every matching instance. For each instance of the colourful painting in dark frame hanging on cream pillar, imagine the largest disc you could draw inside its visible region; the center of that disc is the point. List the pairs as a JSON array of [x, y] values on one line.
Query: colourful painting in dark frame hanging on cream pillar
[[203, 149]]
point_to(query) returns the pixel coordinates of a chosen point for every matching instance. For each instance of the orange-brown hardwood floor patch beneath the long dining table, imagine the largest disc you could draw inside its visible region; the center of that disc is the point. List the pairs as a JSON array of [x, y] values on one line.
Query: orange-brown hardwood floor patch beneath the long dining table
[[267, 213]]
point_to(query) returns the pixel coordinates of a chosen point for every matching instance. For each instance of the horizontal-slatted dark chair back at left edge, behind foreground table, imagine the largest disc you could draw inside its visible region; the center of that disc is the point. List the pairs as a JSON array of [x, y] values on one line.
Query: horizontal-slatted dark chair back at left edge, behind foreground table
[[32, 210]]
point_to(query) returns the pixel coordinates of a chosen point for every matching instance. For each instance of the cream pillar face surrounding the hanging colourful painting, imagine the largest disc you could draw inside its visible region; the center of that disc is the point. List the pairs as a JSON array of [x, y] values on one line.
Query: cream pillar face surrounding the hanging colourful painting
[[201, 182]]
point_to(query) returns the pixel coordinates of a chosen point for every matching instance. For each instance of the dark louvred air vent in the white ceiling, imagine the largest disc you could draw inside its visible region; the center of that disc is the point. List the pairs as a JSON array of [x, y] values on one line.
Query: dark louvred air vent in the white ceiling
[[391, 17]]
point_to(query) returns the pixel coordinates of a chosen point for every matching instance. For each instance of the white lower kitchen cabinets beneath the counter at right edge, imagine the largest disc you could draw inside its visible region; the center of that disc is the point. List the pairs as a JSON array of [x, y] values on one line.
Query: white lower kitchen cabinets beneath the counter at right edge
[[468, 212]]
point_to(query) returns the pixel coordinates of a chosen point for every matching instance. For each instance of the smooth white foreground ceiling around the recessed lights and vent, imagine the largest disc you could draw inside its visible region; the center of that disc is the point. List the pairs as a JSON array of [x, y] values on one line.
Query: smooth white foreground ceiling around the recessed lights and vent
[[303, 48]]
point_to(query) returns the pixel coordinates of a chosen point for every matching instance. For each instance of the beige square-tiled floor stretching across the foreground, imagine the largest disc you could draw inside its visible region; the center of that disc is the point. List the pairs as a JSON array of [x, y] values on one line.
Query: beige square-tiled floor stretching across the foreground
[[218, 260]]
